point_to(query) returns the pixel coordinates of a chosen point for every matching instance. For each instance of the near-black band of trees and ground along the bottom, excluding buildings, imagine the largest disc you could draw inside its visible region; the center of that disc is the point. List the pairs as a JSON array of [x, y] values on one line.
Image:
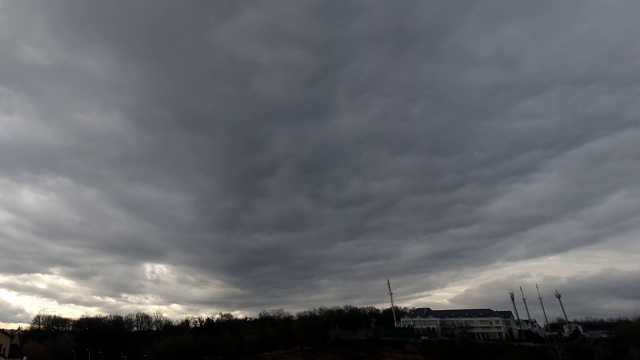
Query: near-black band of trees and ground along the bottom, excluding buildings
[[325, 333]]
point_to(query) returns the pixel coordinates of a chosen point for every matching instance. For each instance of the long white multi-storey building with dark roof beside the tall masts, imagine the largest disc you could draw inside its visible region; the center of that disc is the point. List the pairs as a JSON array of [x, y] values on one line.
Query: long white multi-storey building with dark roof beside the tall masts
[[479, 324]]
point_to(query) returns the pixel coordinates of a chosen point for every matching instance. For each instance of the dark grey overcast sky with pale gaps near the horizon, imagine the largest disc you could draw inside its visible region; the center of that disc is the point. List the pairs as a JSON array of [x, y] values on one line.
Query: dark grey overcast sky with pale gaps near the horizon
[[198, 157]]
